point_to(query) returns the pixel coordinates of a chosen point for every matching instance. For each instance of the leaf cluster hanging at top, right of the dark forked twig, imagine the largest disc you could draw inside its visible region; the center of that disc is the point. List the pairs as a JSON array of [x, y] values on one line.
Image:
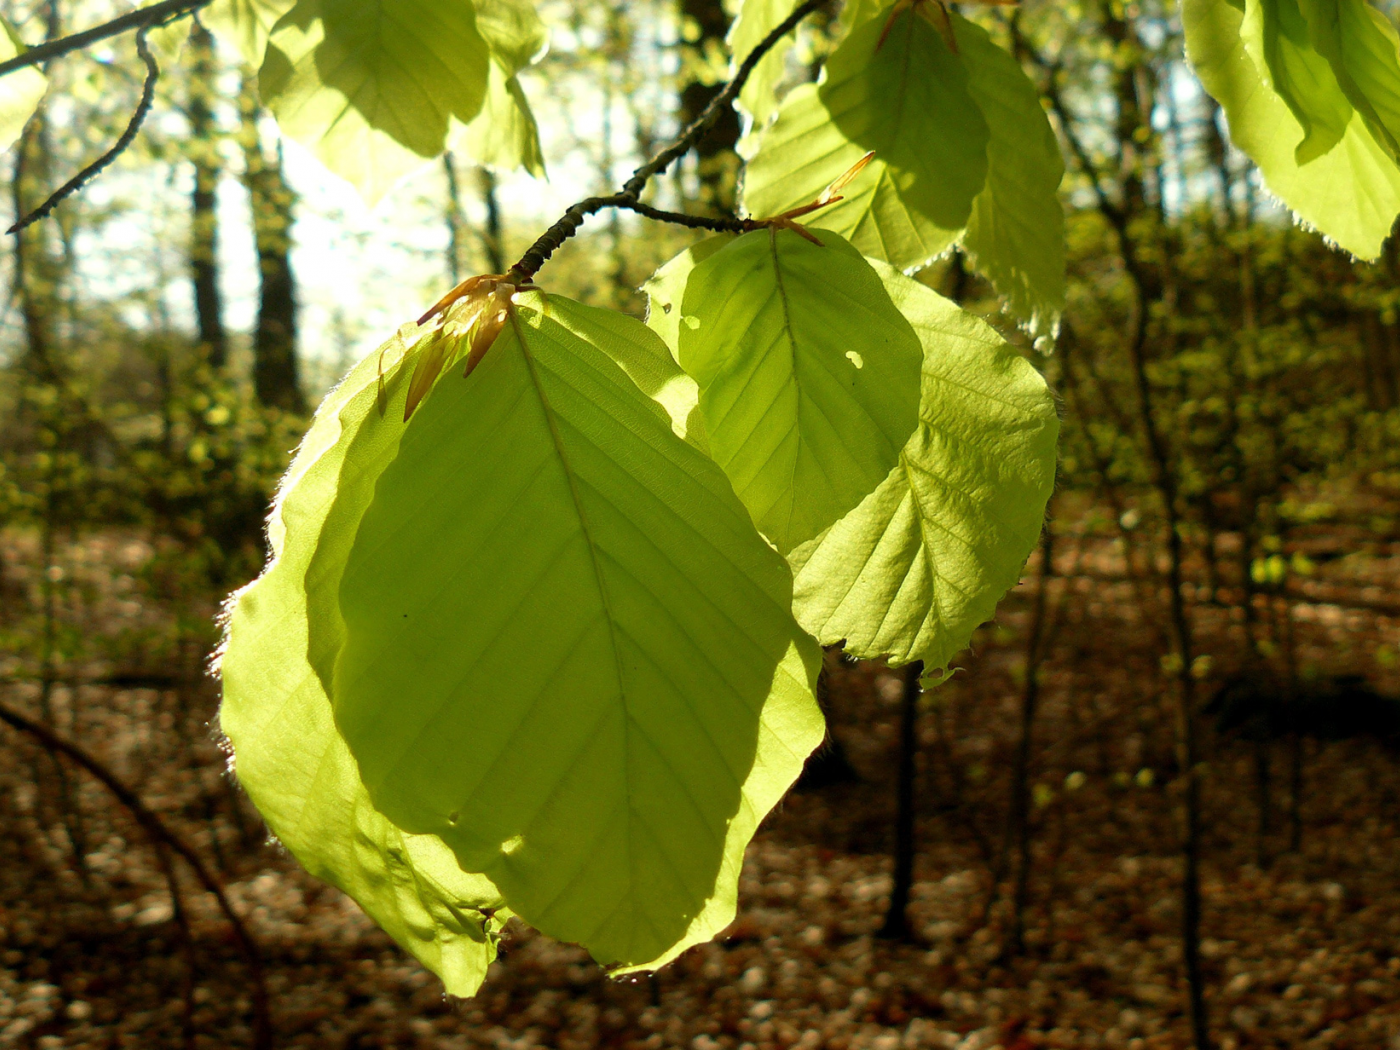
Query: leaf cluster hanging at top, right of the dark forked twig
[[964, 153]]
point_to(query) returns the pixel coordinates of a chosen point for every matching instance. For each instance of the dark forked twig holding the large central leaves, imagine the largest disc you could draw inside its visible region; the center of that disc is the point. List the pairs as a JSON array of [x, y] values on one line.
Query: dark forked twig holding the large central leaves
[[631, 194]]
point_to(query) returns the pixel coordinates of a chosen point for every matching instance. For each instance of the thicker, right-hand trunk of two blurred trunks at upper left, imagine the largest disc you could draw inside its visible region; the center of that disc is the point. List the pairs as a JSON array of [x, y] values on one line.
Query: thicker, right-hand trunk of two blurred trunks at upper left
[[276, 379]]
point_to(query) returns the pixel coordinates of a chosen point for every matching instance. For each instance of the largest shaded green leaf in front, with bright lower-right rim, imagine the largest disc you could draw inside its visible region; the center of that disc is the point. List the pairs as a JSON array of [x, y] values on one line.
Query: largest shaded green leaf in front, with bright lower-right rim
[[562, 646]]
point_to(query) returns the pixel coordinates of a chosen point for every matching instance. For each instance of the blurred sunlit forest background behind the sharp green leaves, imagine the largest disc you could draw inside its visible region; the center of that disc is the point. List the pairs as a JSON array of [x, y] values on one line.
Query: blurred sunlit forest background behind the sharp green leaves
[[1231, 460]]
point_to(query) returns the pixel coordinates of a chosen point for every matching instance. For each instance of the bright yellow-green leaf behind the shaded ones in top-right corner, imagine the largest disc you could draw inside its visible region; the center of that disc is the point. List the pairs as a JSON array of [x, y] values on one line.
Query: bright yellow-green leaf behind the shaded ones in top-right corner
[[1352, 194]]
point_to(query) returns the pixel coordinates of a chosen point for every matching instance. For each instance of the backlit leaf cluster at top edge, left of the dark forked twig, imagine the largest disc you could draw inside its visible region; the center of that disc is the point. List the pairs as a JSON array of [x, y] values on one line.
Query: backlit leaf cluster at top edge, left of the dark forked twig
[[376, 89]]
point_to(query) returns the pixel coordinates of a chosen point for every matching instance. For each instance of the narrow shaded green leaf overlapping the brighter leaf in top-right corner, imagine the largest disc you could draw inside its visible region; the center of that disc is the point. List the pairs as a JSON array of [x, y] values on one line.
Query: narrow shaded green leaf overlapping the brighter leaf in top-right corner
[[1276, 37]]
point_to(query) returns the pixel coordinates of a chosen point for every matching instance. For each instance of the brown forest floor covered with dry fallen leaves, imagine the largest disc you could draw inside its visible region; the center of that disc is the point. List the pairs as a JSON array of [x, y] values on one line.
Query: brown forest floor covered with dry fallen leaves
[[1303, 947]]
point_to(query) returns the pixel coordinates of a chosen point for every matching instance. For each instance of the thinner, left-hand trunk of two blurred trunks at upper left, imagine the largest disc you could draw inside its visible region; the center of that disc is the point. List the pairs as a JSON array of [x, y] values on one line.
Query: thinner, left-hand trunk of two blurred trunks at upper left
[[204, 153]]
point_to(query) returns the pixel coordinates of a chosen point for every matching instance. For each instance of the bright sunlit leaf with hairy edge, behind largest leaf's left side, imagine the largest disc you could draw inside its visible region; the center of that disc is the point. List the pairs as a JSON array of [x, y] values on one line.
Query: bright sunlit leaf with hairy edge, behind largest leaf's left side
[[293, 762]]
